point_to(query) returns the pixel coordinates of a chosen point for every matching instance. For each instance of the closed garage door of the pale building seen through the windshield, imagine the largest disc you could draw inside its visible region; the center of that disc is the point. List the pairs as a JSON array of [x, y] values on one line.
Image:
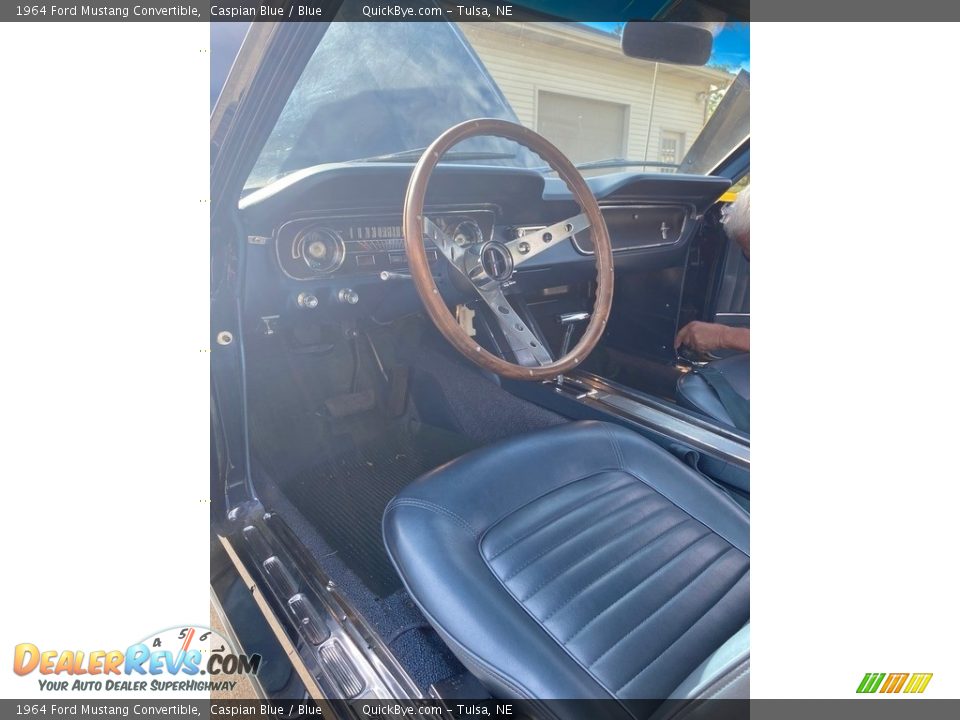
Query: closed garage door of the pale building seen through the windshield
[[583, 128]]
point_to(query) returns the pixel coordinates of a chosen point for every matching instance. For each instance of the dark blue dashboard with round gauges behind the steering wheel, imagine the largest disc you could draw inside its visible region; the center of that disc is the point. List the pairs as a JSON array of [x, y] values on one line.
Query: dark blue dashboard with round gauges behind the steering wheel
[[331, 237]]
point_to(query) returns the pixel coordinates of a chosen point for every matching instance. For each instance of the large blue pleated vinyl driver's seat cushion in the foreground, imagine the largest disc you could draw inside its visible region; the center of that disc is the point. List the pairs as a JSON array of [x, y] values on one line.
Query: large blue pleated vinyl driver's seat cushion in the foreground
[[578, 562]]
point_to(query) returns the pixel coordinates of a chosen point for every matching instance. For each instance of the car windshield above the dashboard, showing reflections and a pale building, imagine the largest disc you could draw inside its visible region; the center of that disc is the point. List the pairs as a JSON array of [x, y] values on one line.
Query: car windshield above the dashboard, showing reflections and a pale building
[[381, 89]]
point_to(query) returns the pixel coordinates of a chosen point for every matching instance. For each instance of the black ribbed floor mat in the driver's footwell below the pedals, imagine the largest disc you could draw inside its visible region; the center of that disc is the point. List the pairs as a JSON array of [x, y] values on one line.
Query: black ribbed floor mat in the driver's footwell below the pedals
[[344, 496]]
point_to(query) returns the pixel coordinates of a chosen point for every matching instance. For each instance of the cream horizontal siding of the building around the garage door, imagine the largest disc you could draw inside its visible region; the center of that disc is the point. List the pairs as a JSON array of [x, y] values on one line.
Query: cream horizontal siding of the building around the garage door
[[525, 59]]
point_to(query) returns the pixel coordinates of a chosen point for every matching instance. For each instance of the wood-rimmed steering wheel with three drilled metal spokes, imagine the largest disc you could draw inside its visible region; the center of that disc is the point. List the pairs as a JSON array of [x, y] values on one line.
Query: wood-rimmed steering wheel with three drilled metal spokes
[[487, 270]]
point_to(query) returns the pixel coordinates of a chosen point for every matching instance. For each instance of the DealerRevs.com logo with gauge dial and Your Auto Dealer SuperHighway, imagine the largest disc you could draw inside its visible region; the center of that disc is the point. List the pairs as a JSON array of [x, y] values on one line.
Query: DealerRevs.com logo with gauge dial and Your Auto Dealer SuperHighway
[[184, 659]]
